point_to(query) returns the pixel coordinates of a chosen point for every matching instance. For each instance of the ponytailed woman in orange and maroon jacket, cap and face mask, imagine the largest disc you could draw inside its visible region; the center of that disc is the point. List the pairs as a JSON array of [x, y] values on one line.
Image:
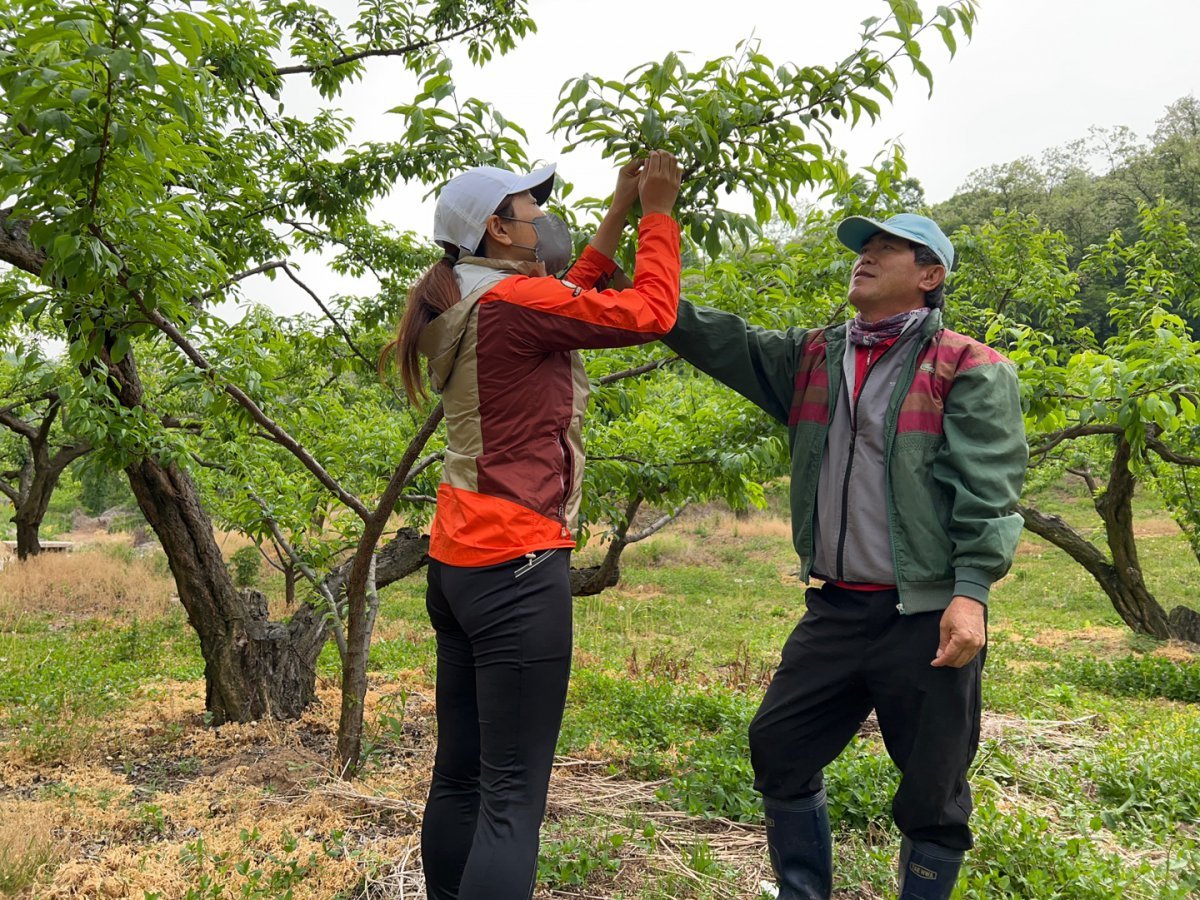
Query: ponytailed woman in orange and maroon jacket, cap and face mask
[[501, 334]]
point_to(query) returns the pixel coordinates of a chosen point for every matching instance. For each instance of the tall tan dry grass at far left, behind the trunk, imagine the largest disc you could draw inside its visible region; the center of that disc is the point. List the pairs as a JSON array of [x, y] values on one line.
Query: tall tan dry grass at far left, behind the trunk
[[89, 584]]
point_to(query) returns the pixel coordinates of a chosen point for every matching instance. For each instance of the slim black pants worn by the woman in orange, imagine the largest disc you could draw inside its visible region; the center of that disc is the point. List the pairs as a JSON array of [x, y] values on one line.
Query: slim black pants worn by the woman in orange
[[505, 658]]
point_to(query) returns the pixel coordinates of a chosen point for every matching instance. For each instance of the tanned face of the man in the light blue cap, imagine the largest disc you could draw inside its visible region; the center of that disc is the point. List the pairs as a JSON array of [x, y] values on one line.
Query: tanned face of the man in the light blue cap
[[886, 279]]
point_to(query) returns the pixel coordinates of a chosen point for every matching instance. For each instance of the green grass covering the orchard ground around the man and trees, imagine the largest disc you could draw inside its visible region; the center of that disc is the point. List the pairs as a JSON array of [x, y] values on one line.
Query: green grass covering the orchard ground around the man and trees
[[1088, 788]]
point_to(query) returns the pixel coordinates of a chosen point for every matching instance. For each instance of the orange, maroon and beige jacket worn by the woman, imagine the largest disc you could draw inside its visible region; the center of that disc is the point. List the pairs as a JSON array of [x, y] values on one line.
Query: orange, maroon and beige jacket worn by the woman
[[515, 391]]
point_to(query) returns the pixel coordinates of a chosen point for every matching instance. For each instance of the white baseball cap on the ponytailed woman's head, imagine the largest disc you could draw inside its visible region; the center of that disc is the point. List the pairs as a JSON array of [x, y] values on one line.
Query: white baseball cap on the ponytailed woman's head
[[467, 201]]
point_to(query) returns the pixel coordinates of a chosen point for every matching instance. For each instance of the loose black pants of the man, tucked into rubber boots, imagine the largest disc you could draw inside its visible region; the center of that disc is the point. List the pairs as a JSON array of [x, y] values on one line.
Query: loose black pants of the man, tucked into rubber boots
[[854, 652]]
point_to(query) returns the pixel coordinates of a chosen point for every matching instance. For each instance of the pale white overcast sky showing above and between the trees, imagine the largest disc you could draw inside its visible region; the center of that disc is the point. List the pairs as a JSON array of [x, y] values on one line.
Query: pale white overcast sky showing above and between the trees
[[1039, 74]]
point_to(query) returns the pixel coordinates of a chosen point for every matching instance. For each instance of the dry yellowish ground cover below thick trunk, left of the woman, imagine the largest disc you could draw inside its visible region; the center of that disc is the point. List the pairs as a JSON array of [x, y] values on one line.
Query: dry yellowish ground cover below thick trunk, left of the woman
[[163, 805]]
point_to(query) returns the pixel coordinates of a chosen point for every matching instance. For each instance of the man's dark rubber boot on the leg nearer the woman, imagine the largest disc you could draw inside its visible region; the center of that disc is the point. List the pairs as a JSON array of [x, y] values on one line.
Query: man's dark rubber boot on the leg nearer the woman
[[801, 847]]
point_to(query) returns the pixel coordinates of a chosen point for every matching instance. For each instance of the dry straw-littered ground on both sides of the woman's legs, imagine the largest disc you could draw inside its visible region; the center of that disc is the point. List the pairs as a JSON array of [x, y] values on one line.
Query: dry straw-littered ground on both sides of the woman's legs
[[160, 801]]
